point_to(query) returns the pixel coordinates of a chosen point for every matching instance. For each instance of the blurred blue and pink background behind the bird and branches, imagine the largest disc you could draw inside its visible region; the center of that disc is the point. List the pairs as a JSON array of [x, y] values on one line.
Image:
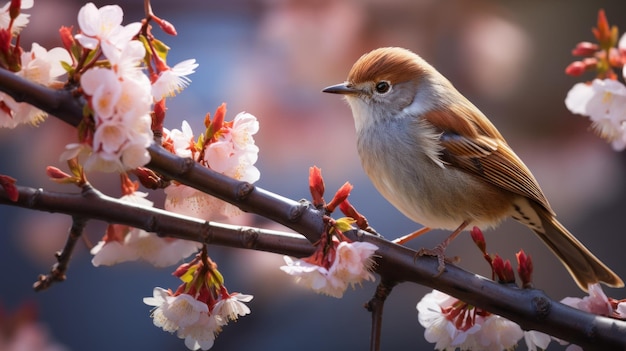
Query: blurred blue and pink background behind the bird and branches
[[272, 58]]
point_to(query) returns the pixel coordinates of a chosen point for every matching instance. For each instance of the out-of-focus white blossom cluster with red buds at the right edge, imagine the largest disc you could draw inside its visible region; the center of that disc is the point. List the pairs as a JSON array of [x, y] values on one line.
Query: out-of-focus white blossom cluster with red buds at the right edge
[[603, 100]]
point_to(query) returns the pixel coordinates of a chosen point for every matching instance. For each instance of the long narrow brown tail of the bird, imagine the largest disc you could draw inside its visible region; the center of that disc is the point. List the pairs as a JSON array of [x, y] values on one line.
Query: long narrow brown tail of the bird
[[584, 267]]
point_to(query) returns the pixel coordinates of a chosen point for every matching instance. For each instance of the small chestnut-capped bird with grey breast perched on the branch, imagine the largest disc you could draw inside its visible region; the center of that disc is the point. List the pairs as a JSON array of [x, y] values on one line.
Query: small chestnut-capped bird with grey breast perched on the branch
[[440, 161]]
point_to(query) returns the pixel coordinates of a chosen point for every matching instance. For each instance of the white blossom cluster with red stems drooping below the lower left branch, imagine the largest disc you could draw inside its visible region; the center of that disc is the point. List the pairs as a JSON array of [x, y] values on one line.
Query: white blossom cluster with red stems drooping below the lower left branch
[[200, 307]]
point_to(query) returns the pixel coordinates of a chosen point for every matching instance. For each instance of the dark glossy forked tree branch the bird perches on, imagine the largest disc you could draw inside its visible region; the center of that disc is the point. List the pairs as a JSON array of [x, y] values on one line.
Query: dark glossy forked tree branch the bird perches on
[[530, 308]]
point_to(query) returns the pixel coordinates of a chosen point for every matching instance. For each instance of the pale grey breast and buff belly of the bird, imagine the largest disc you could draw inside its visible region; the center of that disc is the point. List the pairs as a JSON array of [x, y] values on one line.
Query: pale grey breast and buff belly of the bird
[[398, 158]]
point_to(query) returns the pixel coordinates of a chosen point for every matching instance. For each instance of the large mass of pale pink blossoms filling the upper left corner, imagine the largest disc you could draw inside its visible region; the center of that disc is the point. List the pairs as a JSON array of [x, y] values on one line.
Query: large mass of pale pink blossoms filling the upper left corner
[[107, 59]]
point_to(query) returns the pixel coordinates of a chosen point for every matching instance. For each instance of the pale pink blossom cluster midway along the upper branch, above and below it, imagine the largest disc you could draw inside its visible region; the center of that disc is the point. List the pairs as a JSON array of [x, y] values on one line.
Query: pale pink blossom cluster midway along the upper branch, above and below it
[[227, 148]]
